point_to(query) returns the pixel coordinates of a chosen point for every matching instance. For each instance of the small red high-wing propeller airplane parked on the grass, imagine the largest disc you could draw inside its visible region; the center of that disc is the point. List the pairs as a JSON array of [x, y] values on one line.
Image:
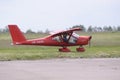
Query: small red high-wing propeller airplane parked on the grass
[[62, 38]]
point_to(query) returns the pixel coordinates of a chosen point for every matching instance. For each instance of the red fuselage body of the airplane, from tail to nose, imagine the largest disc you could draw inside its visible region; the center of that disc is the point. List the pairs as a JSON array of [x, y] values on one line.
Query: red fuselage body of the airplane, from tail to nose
[[48, 41]]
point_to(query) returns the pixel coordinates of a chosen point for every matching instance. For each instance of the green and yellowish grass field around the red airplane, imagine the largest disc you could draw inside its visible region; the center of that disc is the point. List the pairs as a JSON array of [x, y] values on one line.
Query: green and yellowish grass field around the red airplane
[[104, 45]]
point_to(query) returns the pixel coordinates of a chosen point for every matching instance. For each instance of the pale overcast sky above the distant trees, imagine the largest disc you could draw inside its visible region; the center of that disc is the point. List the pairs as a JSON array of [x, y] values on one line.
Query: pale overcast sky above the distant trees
[[58, 14]]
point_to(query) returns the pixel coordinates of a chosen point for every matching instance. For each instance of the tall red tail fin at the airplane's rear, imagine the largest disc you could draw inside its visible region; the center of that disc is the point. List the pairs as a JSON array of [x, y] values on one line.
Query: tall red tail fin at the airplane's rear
[[16, 34]]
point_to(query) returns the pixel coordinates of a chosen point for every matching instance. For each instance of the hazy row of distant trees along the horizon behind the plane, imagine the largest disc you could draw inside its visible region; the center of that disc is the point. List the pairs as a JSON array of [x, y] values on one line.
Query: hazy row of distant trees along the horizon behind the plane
[[84, 29]]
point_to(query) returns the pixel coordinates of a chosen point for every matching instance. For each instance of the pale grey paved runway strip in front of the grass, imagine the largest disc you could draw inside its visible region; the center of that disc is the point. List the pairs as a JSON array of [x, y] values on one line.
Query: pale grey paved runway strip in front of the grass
[[61, 69]]
